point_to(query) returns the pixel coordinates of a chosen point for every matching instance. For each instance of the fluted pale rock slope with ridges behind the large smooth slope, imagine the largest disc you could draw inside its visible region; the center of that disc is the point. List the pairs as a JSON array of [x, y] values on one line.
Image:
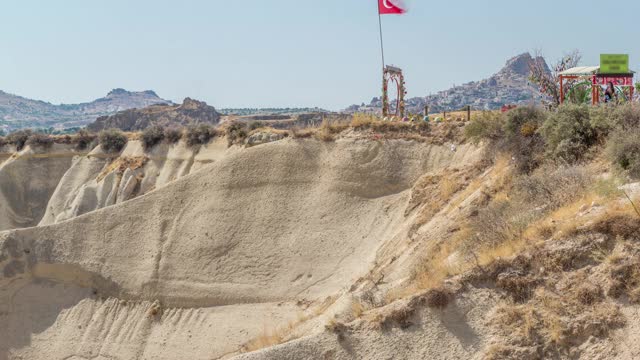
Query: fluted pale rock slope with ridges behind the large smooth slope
[[95, 181]]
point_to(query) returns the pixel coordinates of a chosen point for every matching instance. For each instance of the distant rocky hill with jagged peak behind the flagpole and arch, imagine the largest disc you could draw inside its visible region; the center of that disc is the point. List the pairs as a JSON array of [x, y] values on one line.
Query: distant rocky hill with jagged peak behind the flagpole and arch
[[509, 86]]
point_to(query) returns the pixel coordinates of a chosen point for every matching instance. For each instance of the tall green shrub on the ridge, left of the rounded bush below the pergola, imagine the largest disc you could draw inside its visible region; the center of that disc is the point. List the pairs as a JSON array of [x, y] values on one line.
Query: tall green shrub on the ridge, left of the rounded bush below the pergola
[[522, 139]]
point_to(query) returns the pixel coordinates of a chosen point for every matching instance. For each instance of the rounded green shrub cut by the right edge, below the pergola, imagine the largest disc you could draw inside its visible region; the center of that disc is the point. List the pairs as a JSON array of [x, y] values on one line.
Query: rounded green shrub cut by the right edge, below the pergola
[[623, 149]]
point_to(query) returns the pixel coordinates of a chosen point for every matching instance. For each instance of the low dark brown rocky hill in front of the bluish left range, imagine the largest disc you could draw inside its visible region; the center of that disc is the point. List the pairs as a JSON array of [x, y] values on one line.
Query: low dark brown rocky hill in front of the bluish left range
[[190, 112]]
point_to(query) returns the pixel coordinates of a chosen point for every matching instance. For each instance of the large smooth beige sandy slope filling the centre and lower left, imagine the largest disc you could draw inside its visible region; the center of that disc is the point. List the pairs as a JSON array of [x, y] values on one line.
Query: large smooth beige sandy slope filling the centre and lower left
[[228, 251]]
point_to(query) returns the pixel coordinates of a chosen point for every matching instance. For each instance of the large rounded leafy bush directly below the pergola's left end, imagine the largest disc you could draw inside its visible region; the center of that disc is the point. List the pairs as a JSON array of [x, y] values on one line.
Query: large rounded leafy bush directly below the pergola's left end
[[568, 133]]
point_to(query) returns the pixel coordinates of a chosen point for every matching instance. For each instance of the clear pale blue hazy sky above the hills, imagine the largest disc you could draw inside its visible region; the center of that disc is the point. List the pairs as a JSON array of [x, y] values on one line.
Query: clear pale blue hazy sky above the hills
[[261, 53]]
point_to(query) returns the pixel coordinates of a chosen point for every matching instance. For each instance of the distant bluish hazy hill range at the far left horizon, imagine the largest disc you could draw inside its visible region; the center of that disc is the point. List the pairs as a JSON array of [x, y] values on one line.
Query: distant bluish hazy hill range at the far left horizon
[[18, 112]]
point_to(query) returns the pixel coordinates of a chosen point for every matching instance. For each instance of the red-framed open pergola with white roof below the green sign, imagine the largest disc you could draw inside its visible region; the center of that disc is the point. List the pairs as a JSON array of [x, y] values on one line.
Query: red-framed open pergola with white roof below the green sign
[[597, 79]]
